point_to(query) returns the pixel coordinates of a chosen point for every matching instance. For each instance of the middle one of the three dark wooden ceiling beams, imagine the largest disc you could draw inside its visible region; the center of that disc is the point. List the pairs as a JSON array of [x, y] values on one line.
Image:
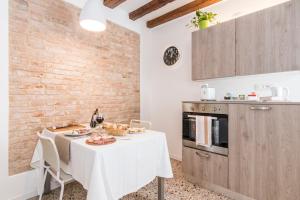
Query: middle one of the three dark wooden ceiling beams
[[148, 8]]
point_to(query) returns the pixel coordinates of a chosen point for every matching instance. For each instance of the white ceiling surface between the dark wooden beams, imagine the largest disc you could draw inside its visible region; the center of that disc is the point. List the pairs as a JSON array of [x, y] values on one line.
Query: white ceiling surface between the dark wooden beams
[[226, 9]]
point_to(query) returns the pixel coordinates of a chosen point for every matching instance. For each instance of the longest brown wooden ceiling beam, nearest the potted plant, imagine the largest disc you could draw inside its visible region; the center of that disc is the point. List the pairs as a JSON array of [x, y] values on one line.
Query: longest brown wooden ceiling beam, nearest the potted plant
[[181, 11]]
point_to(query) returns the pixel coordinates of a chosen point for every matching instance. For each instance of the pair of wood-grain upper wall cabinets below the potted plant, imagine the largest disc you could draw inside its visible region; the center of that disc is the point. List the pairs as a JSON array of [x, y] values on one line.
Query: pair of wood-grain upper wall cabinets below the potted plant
[[263, 42]]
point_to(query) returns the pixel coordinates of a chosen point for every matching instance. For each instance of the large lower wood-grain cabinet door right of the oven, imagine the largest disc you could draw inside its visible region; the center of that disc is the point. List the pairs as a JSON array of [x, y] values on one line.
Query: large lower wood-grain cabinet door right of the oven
[[264, 162]]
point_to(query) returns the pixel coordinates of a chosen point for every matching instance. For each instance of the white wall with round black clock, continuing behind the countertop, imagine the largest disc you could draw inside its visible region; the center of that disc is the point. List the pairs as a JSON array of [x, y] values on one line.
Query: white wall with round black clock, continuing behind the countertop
[[163, 89]]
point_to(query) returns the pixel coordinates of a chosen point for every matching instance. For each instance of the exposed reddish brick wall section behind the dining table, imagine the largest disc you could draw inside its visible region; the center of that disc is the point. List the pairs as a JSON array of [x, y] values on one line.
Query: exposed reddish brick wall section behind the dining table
[[60, 73]]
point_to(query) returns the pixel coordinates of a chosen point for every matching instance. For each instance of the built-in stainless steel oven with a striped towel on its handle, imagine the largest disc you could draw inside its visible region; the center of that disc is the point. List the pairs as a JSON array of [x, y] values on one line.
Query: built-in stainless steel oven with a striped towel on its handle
[[218, 131]]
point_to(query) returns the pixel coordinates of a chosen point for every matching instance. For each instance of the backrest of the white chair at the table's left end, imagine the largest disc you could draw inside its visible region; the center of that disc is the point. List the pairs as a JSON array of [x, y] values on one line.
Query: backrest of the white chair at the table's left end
[[50, 153]]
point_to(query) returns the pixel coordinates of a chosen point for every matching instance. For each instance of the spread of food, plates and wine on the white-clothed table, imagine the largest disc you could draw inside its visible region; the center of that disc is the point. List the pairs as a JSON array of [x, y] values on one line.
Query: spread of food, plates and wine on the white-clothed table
[[98, 132]]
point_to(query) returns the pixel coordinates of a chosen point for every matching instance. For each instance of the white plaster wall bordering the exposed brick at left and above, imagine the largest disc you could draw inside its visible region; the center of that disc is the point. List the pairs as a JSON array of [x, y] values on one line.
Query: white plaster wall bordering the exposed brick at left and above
[[23, 186]]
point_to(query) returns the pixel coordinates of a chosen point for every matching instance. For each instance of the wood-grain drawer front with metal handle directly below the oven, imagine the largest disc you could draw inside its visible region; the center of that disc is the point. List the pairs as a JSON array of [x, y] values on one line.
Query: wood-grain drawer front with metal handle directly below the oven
[[205, 167]]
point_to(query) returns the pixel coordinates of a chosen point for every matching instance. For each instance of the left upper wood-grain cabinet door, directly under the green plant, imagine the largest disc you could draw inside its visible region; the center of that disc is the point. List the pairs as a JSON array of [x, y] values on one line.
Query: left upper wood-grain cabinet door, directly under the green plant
[[213, 52]]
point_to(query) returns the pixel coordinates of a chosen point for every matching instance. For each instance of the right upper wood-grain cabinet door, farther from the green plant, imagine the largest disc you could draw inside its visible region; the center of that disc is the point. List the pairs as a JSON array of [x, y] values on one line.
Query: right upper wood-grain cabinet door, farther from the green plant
[[265, 41]]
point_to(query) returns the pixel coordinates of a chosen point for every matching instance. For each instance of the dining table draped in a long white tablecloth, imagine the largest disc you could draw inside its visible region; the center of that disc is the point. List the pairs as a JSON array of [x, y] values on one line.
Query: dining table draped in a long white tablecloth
[[109, 172]]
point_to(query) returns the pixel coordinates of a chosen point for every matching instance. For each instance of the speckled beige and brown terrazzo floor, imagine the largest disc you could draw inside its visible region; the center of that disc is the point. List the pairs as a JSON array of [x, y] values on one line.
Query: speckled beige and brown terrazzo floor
[[175, 189]]
